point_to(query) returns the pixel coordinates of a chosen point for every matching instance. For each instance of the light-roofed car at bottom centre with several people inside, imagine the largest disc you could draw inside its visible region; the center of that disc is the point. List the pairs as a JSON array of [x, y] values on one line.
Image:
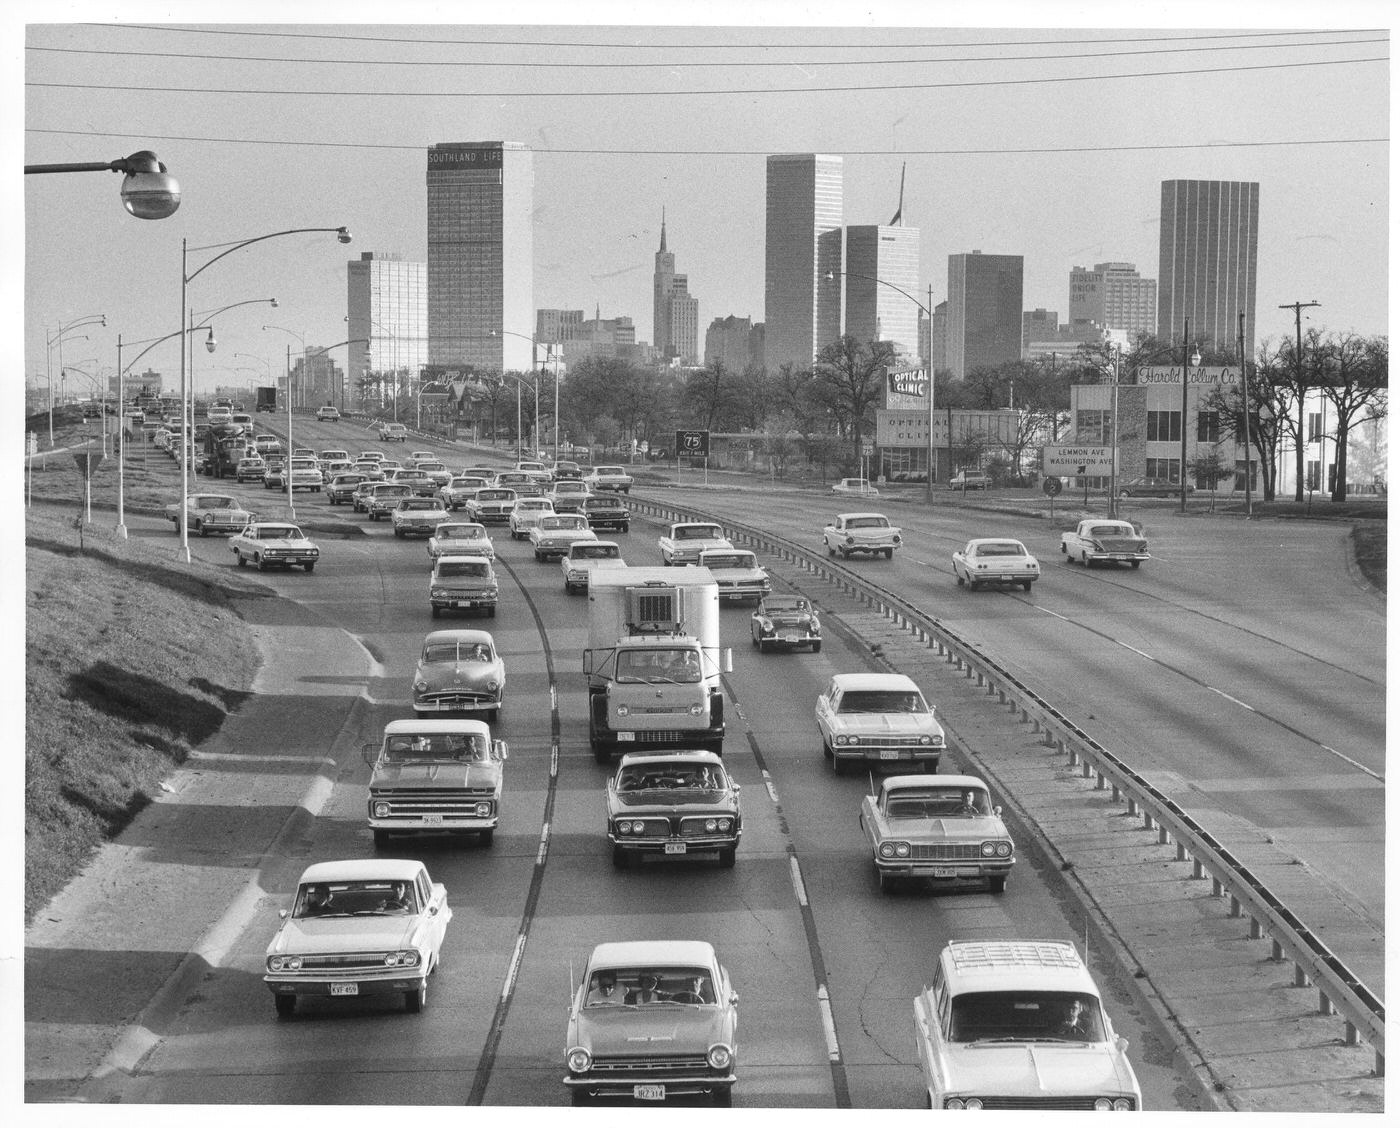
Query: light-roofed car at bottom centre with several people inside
[[650, 1021]]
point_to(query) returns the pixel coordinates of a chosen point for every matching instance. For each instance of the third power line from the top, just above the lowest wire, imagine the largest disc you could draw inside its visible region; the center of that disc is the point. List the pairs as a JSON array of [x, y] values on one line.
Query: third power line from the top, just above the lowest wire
[[675, 93]]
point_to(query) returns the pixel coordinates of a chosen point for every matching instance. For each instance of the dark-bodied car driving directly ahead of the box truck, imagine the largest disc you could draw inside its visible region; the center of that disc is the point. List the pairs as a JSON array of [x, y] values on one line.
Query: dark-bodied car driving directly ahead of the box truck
[[673, 804]]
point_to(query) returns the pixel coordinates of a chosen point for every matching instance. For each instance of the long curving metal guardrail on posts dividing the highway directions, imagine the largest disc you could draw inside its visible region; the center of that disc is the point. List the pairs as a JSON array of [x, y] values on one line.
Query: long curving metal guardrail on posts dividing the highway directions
[[1339, 992]]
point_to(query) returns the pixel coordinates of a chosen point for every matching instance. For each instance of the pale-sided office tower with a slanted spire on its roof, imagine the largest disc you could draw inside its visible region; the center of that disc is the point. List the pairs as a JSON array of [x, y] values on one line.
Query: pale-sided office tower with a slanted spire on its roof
[[880, 264]]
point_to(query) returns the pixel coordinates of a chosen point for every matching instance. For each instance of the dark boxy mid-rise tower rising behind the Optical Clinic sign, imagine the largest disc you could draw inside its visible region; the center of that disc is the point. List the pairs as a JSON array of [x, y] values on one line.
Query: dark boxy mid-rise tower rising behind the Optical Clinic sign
[[983, 311]]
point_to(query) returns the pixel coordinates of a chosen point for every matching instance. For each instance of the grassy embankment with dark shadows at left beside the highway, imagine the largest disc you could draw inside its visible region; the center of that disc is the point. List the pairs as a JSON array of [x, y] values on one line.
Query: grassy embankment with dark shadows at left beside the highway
[[132, 660]]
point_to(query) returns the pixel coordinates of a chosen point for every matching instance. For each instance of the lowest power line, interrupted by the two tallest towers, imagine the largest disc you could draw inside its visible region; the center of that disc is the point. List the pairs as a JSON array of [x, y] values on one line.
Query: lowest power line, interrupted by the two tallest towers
[[554, 150]]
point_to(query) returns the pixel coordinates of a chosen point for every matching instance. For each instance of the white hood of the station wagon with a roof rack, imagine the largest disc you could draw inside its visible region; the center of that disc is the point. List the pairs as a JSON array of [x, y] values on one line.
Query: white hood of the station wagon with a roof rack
[[1039, 1070]]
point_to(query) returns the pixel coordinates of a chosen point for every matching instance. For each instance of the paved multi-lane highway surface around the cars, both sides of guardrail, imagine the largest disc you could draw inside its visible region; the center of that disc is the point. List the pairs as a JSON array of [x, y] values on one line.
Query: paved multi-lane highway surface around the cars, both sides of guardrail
[[827, 966]]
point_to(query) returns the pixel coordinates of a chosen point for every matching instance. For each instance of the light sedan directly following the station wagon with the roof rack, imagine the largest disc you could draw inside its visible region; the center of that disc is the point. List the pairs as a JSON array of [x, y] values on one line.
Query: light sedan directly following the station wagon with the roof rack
[[943, 831]]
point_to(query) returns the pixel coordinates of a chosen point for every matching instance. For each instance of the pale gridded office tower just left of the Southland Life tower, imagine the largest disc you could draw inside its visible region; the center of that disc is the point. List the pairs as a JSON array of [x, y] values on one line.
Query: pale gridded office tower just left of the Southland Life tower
[[387, 309]]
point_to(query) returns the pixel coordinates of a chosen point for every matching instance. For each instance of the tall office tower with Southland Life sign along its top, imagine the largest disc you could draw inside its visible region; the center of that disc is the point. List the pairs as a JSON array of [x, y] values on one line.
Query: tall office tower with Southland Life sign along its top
[[481, 255]]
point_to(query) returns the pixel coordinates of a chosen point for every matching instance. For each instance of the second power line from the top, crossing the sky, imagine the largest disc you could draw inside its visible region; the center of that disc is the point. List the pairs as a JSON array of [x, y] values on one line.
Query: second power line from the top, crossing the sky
[[695, 64]]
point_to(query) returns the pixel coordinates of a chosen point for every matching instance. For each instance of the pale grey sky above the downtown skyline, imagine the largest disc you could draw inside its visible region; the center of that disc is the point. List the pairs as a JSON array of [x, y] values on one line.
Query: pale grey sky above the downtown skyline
[[1049, 143]]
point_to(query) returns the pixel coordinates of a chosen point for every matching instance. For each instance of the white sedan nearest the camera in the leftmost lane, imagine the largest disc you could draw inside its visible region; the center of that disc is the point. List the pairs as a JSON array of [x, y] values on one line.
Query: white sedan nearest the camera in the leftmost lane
[[359, 929]]
